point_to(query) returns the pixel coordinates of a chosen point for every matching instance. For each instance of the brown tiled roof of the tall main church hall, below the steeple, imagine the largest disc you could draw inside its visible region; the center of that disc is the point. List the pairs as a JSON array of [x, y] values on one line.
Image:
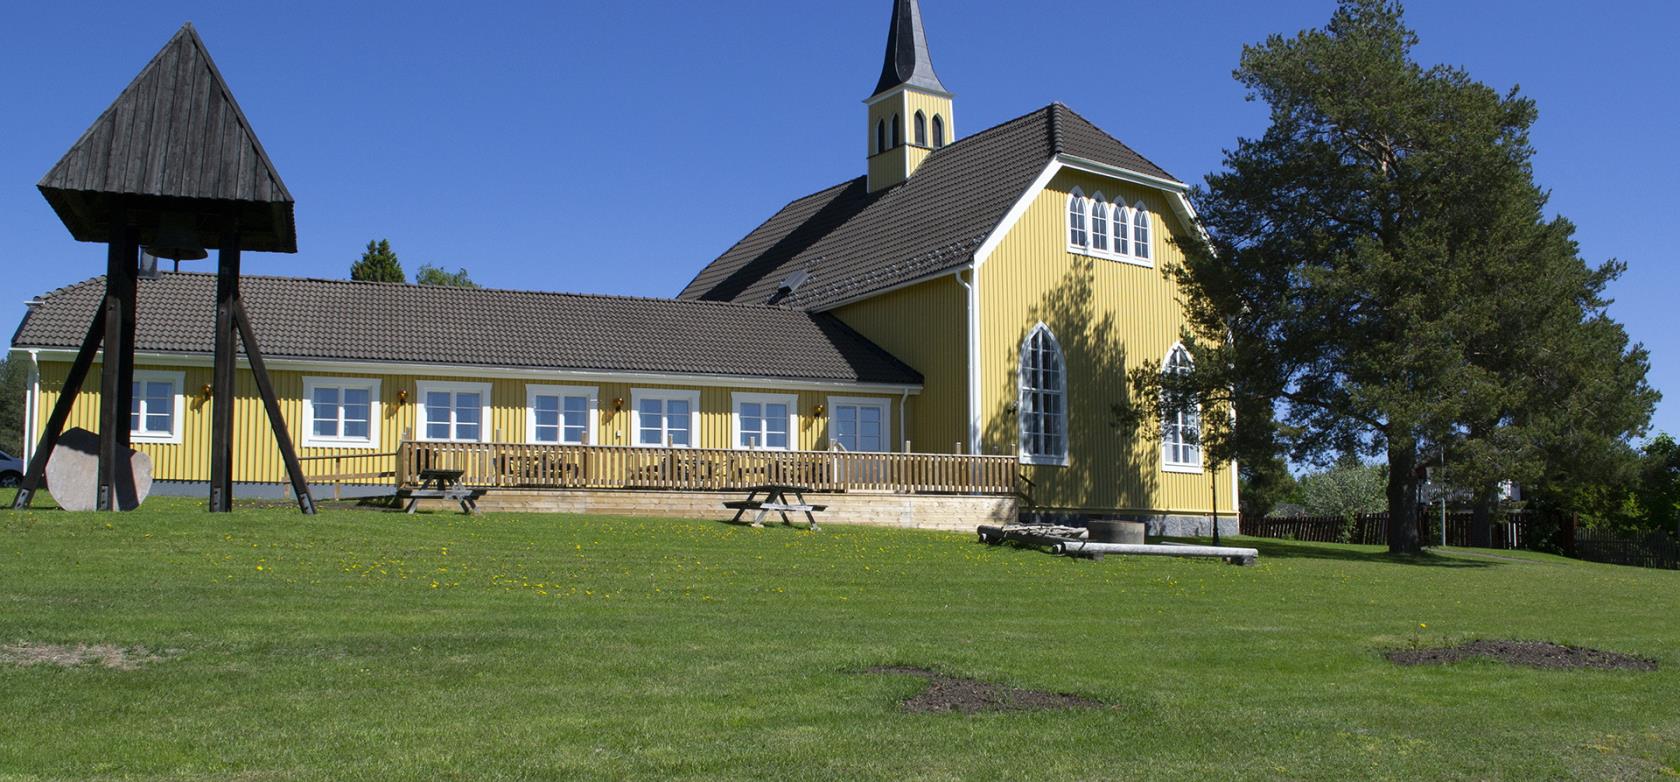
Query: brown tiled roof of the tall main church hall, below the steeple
[[853, 243]]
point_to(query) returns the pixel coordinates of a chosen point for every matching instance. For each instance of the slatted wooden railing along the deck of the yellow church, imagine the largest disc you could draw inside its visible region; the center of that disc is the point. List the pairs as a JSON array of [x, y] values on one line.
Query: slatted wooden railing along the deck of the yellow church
[[705, 470]]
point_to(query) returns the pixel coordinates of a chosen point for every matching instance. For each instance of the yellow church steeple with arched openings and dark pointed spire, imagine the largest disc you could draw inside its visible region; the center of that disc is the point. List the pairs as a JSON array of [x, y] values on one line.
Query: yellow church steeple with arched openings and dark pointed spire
[[910, 114]]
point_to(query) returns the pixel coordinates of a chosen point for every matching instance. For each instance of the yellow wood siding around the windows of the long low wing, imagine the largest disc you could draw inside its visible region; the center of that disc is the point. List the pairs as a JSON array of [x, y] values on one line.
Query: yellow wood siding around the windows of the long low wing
[[258, 460]]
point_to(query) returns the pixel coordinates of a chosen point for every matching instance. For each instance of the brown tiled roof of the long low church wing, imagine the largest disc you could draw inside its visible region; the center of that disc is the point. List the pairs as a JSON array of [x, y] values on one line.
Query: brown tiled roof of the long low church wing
[[386, 322]]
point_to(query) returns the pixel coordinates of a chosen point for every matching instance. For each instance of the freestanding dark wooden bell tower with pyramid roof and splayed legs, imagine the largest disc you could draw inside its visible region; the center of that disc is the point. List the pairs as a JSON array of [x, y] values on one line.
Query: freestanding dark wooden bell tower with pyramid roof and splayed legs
[[172, 166]]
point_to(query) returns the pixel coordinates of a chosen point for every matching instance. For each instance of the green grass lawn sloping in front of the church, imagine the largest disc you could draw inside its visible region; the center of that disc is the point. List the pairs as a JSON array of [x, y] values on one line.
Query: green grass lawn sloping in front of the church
[[364, 645]]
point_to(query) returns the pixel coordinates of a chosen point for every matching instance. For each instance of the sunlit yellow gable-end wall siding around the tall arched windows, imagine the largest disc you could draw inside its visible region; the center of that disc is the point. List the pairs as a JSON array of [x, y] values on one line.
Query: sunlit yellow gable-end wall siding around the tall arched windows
[[1108, 317]]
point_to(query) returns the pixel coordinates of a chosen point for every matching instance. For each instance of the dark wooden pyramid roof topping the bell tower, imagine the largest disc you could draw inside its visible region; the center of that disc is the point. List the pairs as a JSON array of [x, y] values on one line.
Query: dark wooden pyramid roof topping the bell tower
[[176, 139]]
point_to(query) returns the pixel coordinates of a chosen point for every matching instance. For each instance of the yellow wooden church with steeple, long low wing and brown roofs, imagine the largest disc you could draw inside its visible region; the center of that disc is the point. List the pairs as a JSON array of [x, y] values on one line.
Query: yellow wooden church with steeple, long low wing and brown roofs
[[952, 327]]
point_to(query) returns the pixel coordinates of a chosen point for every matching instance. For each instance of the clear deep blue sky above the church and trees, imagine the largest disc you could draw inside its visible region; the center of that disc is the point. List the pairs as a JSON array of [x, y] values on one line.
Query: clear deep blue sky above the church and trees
[[619, 147]]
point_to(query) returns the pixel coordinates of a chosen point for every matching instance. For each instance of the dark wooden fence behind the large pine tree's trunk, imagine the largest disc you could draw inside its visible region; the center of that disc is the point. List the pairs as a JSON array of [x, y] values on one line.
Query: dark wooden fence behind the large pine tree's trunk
[[1511, 531]]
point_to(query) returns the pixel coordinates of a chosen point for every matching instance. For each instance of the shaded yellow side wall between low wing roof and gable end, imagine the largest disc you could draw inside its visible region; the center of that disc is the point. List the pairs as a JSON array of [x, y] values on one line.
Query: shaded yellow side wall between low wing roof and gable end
[[927, 327]]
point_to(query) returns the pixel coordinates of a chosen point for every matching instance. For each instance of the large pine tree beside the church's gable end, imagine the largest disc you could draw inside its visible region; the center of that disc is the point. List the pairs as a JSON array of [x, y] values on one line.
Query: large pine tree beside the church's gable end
[[1365, 262]]
